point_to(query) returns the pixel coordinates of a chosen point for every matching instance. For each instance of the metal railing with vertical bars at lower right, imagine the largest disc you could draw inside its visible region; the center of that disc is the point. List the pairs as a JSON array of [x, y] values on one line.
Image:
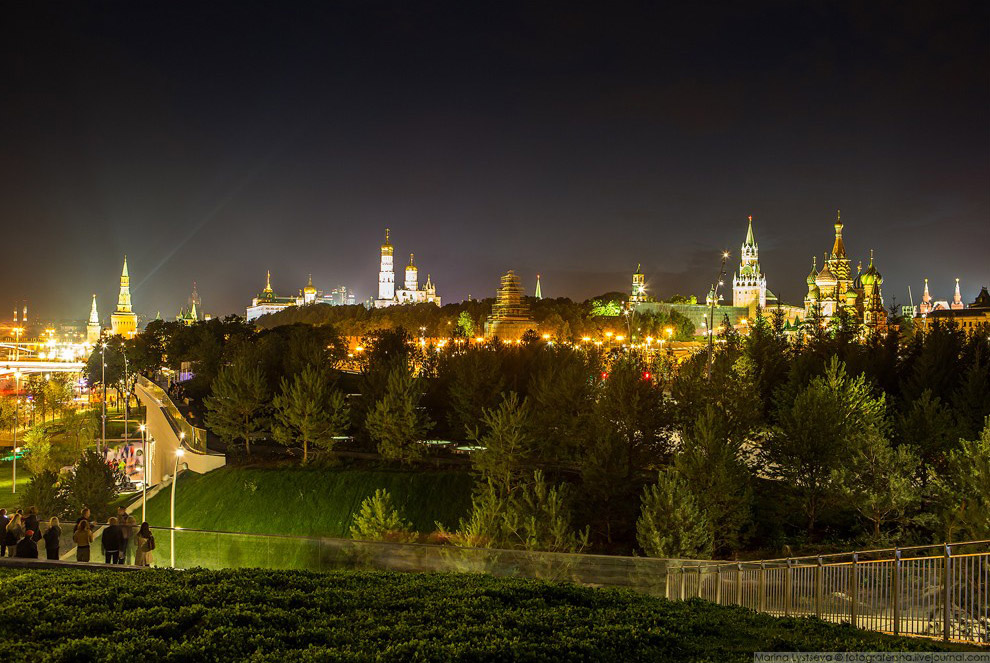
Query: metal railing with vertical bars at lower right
[[933, 591]]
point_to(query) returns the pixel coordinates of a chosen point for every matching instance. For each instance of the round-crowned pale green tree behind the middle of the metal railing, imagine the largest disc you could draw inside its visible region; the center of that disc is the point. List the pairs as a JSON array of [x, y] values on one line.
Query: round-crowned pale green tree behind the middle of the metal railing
[[878, 481]]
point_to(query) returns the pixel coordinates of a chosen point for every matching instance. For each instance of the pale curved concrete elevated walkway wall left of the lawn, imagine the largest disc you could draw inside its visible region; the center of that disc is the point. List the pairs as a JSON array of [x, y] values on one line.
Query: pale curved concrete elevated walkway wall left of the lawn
[[169, 431]]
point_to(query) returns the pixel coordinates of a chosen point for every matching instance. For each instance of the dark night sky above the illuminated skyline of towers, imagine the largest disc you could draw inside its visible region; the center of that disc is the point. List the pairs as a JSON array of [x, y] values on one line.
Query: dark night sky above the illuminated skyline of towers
[[210, 141]]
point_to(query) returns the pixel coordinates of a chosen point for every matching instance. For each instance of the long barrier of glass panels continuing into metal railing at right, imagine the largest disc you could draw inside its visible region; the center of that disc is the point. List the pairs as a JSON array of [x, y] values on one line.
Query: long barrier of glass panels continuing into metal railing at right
[[933, 591]]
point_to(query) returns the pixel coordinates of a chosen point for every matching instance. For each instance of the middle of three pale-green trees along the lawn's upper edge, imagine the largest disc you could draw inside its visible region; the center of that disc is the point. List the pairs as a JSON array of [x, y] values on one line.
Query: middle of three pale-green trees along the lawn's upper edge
[[309, 411]]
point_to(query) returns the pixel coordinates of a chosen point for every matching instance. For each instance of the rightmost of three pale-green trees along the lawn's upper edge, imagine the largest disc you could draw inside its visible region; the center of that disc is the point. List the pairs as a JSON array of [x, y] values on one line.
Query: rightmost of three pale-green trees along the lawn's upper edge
[[396, 423]]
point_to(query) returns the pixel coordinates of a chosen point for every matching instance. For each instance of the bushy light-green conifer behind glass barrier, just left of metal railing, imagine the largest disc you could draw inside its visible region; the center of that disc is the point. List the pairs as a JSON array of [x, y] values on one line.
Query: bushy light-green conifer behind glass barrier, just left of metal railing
[[671, 523]]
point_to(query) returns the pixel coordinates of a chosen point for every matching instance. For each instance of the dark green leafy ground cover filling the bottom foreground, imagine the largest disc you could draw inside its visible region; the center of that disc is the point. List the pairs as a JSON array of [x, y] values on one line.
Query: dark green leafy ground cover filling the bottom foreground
[[199, 615]]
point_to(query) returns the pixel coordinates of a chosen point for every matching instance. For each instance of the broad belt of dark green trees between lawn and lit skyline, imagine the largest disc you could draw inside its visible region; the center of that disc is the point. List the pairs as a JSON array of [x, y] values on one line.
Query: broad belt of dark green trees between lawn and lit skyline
[[818, 439]]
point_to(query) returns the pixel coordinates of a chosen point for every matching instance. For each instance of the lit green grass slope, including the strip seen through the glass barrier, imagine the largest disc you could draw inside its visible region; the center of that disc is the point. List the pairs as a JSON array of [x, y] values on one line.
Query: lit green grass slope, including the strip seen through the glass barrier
[[293, 501]]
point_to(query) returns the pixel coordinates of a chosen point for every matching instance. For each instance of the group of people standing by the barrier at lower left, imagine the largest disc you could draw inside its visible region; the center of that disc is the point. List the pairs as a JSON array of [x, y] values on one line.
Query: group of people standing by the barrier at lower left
[[122, 541]]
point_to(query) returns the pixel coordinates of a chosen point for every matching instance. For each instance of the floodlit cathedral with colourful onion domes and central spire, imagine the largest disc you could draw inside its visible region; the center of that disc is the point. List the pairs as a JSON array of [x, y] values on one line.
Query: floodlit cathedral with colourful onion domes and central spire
[[835, 289]]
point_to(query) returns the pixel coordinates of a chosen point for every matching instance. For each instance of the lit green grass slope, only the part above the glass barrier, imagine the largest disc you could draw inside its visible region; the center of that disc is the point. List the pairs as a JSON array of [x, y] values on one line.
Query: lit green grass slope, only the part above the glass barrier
[[310, 502]]
